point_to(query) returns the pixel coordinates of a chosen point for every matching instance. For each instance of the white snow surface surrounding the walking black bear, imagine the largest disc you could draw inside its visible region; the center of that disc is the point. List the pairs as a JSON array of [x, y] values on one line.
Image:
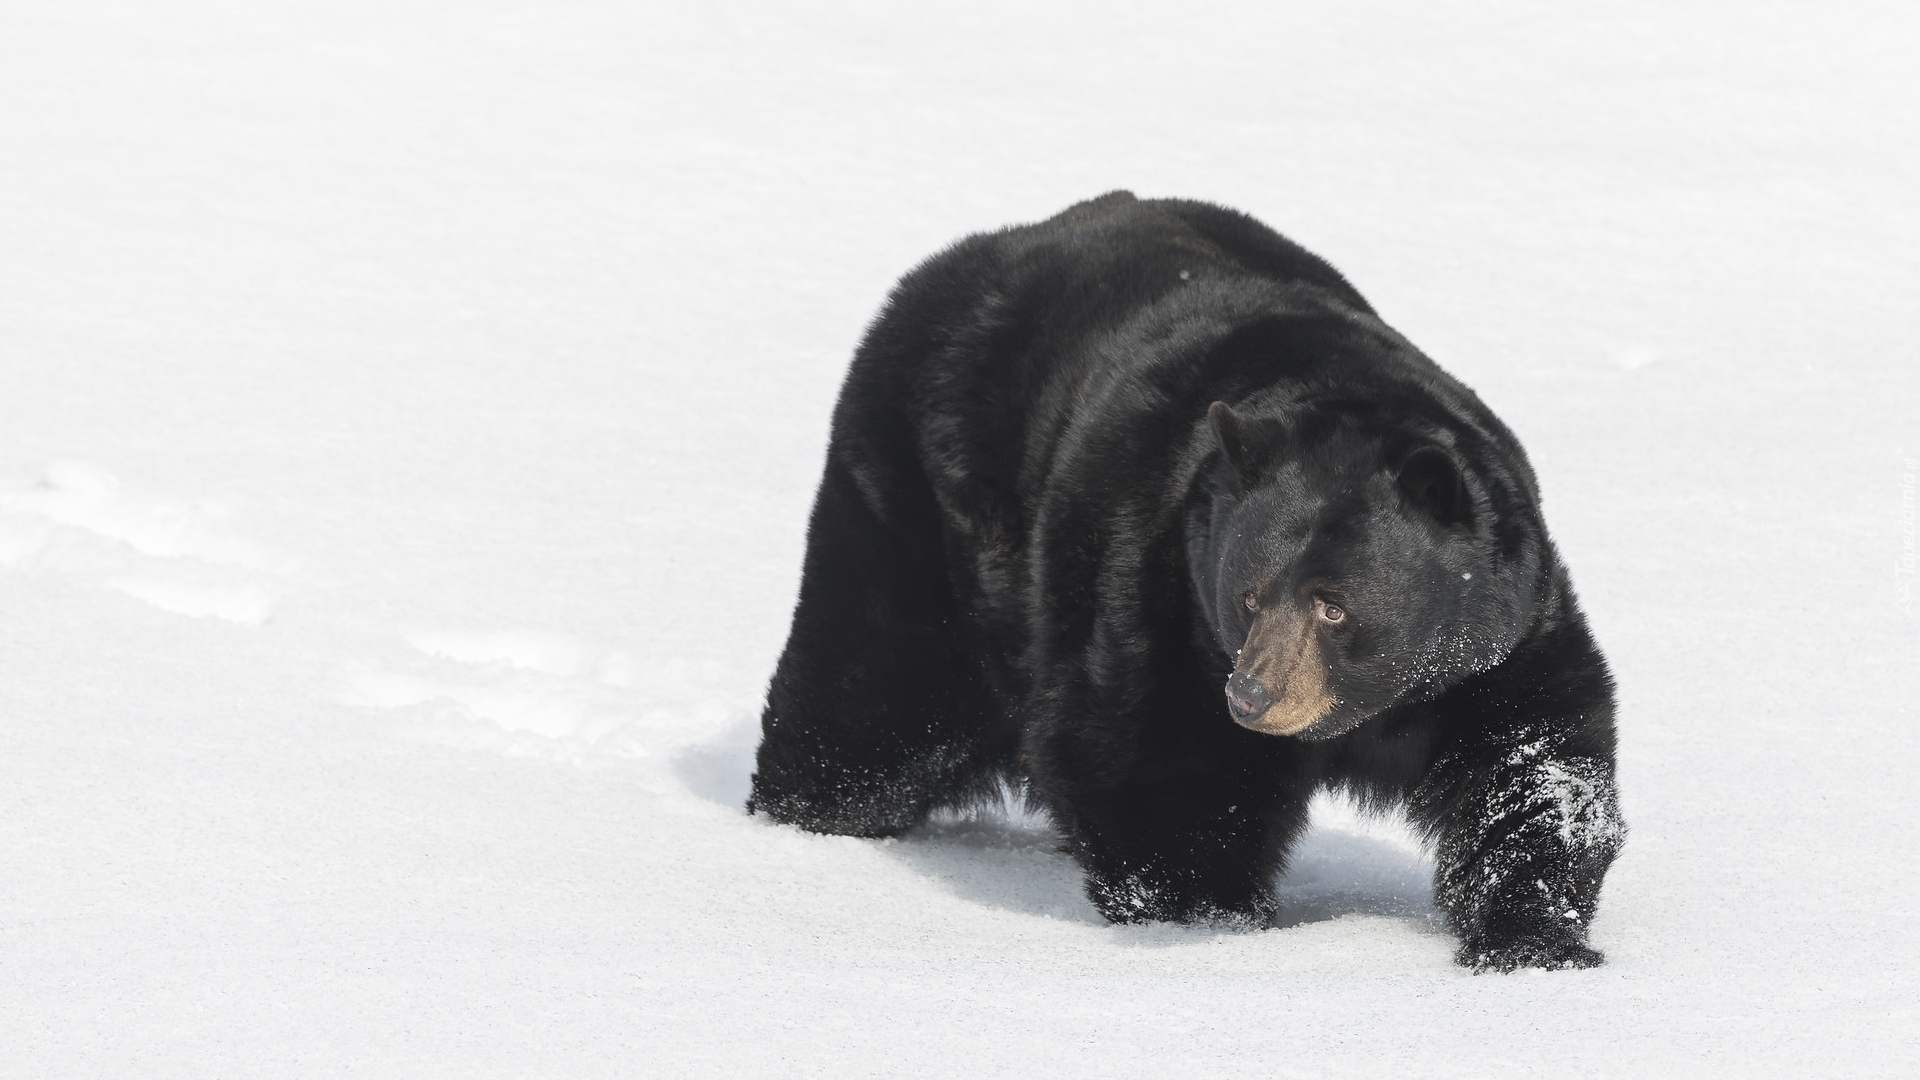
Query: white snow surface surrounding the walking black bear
[[410, 414]]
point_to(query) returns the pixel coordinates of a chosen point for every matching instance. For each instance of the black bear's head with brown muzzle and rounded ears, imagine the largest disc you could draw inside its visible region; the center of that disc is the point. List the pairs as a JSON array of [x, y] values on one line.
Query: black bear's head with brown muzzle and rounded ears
[[1349, 564]]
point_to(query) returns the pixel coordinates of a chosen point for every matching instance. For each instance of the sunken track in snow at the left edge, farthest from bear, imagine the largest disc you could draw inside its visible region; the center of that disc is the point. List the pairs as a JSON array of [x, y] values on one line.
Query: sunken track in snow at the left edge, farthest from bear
[[181, 558]]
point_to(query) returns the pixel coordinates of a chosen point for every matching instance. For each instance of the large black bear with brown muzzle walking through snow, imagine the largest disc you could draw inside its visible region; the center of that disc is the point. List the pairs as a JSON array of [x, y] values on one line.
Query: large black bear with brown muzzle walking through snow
[[1147, 512]]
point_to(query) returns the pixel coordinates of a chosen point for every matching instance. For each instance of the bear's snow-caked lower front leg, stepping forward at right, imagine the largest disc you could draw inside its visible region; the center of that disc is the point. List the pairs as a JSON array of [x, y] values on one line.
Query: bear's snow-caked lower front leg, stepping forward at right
[[1525, 837]]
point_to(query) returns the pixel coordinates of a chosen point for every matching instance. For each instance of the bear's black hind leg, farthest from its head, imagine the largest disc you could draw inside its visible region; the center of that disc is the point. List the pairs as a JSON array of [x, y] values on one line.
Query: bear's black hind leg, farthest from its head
[[876, 714]]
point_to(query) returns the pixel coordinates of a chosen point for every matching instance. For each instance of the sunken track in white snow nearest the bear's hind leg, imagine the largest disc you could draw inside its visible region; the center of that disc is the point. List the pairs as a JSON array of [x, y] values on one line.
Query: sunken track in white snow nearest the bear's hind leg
[[523, 693]]
